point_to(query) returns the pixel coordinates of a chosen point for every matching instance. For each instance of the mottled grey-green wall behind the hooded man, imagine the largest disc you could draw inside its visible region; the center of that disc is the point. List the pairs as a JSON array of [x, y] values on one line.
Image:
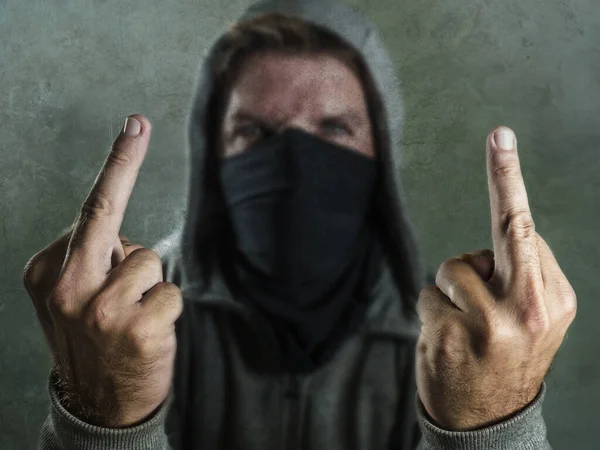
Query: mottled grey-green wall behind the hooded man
[[71, 71]]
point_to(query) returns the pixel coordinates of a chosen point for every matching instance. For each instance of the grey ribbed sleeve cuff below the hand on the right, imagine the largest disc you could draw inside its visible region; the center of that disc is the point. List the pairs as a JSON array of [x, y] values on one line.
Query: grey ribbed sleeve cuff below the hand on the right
[[524, 431]]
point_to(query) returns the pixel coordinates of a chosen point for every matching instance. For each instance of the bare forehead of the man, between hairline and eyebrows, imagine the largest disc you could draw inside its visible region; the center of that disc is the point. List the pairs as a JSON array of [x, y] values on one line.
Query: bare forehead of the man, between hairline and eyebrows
[[277, 85]]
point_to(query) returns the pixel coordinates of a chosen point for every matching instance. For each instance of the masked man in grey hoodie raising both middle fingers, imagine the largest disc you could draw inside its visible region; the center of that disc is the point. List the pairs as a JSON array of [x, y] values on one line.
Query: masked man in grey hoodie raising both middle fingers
[[282, 316]]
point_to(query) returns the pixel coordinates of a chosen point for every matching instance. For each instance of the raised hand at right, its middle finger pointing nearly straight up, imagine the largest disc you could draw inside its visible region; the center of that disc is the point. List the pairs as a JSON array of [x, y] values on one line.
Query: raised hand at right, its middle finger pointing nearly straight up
[[494, 321]]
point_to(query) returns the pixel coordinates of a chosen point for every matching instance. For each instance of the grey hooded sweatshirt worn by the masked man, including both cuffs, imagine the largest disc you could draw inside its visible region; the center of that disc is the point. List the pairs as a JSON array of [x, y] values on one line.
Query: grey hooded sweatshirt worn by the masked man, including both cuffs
[[365, 398]]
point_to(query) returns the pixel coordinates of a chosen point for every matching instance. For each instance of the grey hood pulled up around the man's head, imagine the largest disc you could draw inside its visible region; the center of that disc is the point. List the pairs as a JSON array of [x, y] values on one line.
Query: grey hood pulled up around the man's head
[[402, 257]]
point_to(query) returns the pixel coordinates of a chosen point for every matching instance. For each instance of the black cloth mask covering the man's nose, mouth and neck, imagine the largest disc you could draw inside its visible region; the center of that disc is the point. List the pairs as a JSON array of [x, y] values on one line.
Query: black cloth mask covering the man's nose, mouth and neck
[[305, 252]]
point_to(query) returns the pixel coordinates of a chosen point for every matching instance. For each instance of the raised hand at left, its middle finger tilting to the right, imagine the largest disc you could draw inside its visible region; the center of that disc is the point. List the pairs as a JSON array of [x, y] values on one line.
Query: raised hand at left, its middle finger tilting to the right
[[107, 314]]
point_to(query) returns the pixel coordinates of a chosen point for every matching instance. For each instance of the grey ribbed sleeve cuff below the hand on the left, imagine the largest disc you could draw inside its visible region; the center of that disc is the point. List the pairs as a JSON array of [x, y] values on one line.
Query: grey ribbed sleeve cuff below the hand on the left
[[64, 431]]
